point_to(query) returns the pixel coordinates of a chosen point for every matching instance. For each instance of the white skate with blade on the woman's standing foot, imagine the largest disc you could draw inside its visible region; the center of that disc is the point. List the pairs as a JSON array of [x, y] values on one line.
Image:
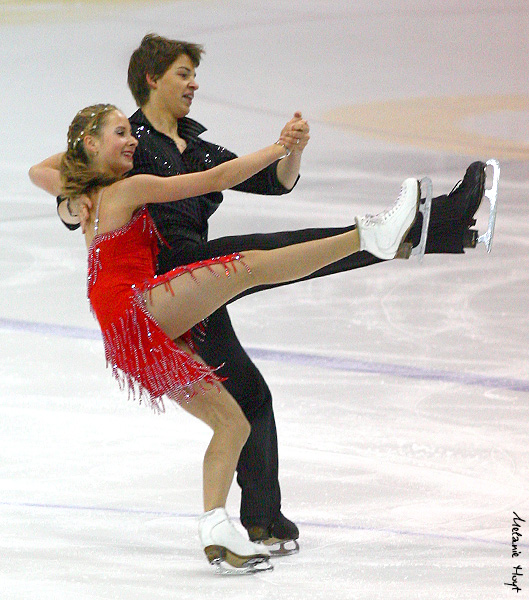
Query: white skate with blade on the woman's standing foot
[[227, 549]]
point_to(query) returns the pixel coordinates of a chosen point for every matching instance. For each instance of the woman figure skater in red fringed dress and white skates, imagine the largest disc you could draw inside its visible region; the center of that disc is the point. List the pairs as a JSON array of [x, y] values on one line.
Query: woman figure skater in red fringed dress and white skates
[[145, 320]]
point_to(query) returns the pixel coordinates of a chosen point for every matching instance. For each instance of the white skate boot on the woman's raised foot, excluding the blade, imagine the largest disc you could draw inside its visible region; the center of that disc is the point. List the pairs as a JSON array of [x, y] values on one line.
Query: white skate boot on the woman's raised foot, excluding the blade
[[382, 234]]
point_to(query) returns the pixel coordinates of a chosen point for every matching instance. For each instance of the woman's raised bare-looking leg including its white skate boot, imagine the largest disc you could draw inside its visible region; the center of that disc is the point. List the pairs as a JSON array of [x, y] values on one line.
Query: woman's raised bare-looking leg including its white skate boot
[[181, 304]]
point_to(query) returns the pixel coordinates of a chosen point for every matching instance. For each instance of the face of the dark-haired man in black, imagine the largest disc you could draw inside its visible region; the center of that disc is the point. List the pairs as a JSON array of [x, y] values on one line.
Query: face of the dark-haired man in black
[[176, 88]]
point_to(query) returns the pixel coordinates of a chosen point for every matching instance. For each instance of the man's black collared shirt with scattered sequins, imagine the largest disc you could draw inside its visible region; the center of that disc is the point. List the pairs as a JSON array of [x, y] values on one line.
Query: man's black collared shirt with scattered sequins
[[157, 154]]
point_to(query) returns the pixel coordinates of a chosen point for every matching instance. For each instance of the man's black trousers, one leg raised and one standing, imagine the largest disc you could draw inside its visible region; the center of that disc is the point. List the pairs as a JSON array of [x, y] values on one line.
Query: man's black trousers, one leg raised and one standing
[[257, 470]]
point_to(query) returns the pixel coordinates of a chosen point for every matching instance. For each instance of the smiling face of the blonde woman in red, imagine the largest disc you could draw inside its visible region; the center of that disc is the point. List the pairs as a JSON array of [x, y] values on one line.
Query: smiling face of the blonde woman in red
[[116, 145]]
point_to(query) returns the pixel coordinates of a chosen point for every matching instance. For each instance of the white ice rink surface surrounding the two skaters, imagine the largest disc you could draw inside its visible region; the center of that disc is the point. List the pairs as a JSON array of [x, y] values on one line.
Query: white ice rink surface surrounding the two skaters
[[401, 390]]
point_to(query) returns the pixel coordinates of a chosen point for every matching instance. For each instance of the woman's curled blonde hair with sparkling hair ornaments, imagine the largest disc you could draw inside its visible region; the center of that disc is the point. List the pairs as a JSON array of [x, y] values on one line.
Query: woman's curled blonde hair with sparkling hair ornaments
[[77, 173]]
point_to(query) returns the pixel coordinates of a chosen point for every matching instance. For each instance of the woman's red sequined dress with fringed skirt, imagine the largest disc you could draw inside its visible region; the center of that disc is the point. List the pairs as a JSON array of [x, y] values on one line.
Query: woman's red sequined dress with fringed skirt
[[121, 267]]
